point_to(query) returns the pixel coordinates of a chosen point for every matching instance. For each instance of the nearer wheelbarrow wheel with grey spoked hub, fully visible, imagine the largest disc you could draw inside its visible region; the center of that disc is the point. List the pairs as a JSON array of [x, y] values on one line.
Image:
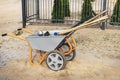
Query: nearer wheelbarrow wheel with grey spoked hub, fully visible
[[55, 61]]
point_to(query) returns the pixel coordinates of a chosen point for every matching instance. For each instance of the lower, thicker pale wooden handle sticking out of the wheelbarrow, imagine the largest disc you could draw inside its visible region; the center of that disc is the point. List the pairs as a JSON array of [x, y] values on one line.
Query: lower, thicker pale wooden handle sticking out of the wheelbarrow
[[84, 25]]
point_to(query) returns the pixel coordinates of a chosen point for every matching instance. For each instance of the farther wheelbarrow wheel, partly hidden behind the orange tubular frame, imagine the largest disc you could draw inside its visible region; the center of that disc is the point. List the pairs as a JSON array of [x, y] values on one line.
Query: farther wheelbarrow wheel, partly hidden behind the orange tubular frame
[[70, 56]]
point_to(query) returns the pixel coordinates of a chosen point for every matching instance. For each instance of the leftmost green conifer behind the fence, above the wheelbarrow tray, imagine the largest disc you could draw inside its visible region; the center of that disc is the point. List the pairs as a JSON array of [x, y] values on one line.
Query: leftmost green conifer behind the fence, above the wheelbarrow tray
[[58, 12]]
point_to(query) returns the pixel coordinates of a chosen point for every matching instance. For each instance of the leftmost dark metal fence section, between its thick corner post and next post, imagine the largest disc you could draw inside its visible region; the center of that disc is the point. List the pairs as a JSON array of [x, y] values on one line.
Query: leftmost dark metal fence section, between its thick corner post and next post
[[30, 11]]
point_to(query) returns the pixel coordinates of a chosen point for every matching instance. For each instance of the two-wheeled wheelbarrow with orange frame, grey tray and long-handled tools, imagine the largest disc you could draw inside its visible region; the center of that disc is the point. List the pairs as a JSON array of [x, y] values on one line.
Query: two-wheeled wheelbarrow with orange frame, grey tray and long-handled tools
[[54, 47]]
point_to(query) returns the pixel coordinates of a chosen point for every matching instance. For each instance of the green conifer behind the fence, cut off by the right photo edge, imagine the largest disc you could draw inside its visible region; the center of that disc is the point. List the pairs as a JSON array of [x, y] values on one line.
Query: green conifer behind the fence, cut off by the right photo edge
[[115, 18]]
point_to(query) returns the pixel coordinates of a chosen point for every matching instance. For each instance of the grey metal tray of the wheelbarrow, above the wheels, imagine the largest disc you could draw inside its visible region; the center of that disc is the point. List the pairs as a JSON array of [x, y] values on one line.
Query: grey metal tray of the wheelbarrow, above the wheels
[[45, 43]]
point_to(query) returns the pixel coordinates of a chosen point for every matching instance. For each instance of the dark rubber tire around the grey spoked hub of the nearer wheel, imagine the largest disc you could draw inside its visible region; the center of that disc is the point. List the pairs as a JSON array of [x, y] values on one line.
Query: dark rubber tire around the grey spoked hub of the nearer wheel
[[62, 56]]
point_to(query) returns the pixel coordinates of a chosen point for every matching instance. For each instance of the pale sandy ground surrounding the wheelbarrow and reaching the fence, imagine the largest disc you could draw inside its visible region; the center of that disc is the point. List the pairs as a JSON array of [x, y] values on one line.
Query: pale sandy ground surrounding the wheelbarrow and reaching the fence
[[98, 52]]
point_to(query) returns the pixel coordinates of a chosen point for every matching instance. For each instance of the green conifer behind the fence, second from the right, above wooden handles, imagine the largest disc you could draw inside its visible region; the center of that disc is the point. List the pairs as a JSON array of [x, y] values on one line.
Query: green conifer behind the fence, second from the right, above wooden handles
[[86, 10]]
